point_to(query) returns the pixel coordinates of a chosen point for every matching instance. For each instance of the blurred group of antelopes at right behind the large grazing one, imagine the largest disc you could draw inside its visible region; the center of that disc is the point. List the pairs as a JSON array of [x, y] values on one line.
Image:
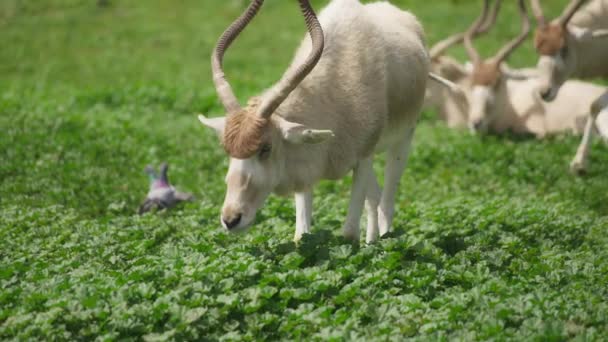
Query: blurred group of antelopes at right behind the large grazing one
[[539, 101]]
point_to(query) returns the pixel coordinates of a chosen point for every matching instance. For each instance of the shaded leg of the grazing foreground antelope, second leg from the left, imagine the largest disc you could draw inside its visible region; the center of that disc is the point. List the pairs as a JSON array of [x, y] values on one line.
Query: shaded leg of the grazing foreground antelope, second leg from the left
[[361, 175]]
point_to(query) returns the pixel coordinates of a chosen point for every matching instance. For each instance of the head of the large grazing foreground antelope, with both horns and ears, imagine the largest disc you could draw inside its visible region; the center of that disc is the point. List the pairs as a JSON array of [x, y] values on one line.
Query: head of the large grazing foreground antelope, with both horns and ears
[[252, 136]]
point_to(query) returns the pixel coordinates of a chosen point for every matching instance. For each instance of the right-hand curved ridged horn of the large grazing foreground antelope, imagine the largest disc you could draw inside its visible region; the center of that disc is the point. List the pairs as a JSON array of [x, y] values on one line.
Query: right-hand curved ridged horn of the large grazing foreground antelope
[[290, 80]]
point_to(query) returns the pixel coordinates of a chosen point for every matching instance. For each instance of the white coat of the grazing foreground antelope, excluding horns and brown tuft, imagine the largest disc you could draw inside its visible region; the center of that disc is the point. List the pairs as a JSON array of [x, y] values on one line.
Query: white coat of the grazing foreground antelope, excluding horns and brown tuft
[[363, 97]]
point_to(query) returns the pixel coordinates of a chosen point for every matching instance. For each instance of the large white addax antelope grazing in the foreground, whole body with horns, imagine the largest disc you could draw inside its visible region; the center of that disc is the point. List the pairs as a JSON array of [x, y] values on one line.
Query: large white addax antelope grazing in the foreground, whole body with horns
[[330, 113]]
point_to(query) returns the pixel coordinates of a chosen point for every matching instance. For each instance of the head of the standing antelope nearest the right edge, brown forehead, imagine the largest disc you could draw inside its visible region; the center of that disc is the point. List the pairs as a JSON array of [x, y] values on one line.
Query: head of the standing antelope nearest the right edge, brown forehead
[[553, 42]]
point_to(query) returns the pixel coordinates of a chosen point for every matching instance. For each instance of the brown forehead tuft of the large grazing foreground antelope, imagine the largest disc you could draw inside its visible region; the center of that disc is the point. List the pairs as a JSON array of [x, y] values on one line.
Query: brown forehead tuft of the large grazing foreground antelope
[[245, 132]]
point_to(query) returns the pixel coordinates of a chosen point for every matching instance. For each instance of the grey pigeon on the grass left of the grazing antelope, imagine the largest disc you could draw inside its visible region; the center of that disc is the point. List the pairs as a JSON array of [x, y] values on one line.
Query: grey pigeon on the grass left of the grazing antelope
[[162, 194]]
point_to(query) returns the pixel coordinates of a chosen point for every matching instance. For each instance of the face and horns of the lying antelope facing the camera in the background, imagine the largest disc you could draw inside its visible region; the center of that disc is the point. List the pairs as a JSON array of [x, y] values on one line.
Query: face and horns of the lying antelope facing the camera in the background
[[486, 74]]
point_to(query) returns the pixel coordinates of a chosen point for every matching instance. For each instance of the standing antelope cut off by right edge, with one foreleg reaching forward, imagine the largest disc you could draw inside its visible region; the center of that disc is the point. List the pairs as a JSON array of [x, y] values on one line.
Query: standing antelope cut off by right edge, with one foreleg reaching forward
[[574, 45]]
